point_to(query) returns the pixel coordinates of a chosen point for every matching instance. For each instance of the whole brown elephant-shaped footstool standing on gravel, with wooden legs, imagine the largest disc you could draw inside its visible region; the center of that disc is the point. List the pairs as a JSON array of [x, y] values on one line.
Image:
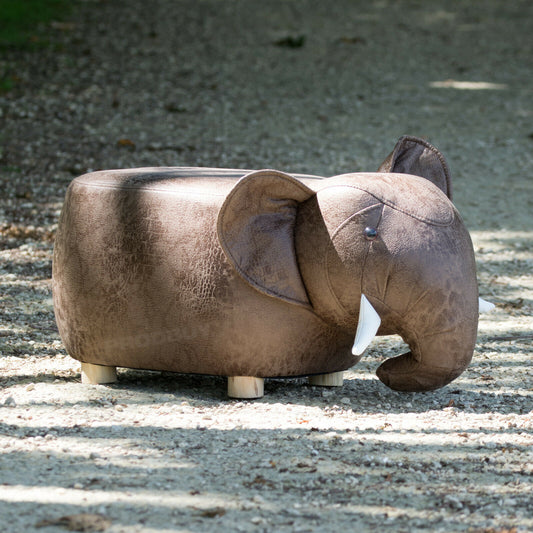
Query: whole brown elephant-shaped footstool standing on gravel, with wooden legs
[[257, 274]]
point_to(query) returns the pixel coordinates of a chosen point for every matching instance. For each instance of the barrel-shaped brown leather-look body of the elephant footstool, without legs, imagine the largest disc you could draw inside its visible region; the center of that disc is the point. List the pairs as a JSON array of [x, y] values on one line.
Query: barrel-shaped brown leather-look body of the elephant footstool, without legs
[[141, 281]]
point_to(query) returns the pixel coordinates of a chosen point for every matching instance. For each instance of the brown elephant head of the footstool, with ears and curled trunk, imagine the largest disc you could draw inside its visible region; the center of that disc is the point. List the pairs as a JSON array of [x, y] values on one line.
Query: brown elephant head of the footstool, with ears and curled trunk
[[386, 247]]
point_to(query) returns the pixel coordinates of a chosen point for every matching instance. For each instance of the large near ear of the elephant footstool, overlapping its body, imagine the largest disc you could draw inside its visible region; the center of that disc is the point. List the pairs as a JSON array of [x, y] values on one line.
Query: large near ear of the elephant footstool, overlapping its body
[[256, 231]]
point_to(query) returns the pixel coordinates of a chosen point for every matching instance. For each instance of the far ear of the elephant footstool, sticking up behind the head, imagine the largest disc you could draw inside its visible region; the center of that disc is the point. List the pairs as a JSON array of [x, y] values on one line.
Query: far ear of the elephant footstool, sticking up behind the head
[[412, 155]]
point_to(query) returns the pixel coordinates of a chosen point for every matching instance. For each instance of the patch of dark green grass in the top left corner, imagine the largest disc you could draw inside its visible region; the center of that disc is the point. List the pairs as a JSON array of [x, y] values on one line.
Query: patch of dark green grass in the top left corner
[[23, 22]]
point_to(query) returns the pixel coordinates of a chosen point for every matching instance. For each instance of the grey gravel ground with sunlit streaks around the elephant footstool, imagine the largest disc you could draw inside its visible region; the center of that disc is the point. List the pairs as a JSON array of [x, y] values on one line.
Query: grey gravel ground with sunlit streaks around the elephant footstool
[[302, 86]]
